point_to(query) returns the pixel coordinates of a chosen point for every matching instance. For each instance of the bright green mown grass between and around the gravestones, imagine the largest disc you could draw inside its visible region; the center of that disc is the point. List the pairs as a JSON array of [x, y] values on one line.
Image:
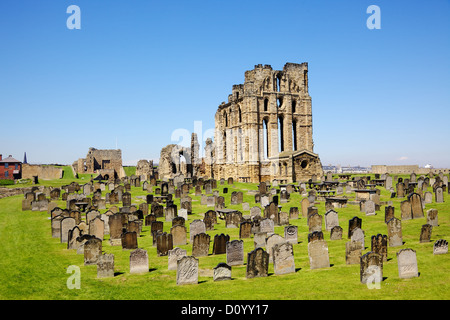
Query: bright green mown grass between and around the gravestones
[[33, 265]]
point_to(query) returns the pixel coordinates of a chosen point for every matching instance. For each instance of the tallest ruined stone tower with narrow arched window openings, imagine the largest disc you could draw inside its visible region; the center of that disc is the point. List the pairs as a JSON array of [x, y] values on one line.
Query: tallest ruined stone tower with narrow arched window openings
[[264, 131]]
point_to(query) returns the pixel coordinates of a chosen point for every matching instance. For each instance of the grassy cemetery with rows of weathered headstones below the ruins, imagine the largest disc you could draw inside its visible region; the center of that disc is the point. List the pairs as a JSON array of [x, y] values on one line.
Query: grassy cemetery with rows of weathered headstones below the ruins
[[145, 238]]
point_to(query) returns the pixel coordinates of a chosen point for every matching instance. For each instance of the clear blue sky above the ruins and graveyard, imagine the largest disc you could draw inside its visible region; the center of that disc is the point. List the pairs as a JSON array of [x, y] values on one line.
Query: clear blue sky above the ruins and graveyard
[[138, 71]]
